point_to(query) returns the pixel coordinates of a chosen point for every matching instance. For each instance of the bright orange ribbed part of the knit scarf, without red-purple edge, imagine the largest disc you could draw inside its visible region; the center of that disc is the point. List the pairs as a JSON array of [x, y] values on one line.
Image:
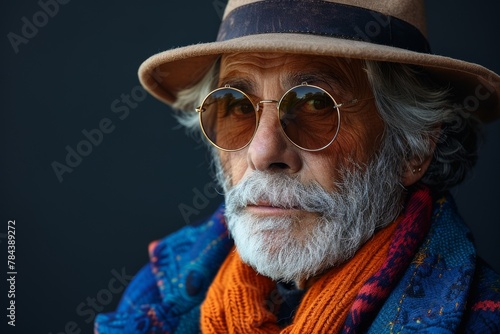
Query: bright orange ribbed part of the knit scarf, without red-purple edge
[[242, 301]]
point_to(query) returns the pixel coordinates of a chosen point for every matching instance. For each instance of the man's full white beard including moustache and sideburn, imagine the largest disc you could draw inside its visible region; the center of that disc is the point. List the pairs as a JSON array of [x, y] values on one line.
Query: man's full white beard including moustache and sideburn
[[286, 248]]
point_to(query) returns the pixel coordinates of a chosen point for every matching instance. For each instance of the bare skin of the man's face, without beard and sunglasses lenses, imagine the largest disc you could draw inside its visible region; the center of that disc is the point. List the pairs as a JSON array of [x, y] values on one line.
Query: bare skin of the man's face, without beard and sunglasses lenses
[[267, 77]]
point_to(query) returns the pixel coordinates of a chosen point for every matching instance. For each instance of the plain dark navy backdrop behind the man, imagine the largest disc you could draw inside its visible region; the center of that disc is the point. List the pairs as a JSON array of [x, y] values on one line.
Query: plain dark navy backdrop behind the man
[[79, 240]]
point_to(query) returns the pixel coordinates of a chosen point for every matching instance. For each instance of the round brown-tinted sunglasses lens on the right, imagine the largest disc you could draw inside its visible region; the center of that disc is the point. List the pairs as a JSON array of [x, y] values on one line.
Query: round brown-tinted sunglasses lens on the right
[[309, 117]]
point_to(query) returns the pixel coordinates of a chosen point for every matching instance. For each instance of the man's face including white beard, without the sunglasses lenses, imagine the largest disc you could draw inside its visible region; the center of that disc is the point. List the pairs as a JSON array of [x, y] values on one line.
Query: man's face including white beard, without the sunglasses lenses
[[266, 218]]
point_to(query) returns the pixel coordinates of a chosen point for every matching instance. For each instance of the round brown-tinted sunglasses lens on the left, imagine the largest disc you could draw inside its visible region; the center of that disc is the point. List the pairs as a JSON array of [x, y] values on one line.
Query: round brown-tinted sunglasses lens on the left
[[228, 118]]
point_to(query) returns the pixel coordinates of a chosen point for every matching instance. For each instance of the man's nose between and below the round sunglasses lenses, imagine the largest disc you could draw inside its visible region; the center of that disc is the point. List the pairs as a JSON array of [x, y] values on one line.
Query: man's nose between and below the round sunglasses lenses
[[270, 150]]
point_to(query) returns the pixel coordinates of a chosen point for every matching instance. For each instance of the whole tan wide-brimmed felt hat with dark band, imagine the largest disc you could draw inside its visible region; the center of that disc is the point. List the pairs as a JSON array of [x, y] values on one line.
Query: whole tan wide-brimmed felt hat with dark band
[[388, 31]]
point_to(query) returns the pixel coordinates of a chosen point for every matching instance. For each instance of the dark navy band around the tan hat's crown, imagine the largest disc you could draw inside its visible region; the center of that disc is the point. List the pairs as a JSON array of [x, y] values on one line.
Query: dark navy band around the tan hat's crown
[[321, 18]]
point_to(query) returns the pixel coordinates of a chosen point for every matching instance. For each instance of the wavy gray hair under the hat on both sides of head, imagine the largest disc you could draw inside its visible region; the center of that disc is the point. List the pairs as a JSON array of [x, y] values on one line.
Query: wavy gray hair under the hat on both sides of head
[[417, 112]]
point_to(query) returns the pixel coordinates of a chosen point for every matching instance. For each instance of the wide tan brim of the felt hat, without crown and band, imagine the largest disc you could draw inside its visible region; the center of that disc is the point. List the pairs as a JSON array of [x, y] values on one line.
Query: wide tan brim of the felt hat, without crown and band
[[476, 88]]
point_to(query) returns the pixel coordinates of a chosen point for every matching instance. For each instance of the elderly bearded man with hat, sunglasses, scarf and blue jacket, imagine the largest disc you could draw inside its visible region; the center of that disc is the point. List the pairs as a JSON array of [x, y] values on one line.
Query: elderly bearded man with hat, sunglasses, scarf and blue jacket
[[335, 135]]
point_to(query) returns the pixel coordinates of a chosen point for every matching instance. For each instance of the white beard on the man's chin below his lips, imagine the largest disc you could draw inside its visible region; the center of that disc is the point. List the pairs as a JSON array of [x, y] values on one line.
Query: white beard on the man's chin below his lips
[[272, 246]]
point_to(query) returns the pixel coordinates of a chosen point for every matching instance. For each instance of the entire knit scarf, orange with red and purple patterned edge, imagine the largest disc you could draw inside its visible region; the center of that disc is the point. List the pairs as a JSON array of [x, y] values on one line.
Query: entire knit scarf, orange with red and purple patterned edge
[[242, 301]]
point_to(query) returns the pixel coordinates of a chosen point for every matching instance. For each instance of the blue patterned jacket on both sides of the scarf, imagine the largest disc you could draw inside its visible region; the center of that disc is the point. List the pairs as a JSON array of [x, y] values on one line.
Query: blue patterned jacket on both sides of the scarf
[[446, 288]]
